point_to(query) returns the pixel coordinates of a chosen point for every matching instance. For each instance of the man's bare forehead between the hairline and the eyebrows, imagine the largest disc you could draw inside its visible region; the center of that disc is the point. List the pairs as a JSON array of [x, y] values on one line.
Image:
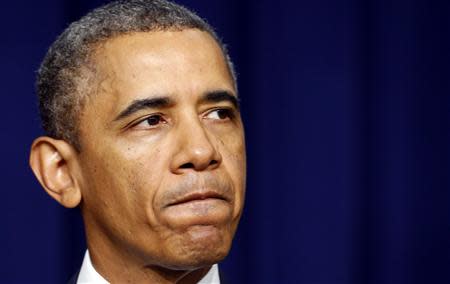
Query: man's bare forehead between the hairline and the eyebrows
[[163, 63]]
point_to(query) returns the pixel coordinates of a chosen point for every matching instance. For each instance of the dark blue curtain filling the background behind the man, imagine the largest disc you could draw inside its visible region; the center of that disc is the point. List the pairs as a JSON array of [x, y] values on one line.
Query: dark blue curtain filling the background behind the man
[[346, 106]]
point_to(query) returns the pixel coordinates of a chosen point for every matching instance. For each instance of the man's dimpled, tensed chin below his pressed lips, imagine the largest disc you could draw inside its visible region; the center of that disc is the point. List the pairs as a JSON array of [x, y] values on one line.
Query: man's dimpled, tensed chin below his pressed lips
[[200, 246]]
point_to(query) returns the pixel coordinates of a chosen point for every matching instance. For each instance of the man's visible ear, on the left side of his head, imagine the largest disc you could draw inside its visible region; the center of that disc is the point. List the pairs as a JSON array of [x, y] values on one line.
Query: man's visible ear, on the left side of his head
[[54, 163]]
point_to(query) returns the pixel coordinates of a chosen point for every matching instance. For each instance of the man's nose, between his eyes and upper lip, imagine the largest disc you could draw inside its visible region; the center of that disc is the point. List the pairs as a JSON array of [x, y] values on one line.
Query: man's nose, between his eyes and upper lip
[[195, 150]]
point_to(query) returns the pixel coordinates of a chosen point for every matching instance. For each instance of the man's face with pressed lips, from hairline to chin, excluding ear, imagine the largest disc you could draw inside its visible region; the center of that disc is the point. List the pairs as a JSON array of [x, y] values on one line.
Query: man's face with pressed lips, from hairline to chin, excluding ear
[[163, 157]]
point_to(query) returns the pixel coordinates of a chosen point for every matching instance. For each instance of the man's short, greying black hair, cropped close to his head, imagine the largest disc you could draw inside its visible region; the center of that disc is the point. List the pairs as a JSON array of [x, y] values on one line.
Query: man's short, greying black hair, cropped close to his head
[[67, 74]]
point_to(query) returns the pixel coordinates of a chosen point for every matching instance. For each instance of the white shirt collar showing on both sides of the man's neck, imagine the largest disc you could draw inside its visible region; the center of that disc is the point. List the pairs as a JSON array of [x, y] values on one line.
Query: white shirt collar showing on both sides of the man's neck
[[88, 274]]
